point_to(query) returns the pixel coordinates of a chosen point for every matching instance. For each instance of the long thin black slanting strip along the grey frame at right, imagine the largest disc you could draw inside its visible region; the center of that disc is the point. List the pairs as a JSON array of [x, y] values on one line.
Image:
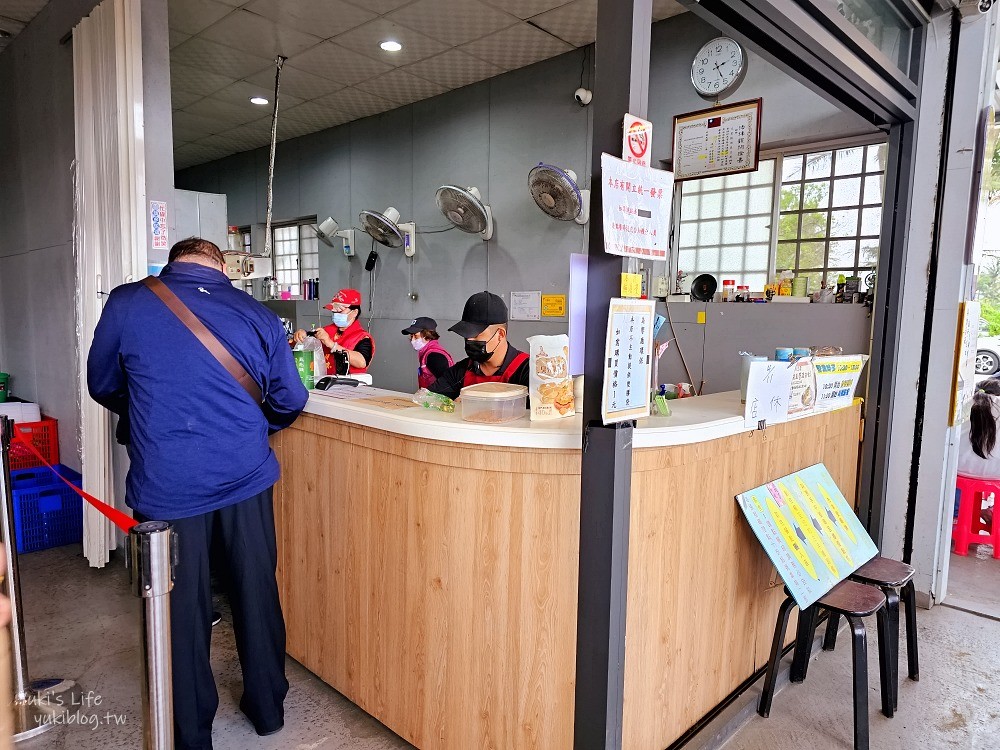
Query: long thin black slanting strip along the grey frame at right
[[932, 271]]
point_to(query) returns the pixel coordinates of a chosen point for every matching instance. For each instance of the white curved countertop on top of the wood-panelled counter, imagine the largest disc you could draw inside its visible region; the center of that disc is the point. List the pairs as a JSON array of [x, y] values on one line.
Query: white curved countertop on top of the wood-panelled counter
[[693, 420]]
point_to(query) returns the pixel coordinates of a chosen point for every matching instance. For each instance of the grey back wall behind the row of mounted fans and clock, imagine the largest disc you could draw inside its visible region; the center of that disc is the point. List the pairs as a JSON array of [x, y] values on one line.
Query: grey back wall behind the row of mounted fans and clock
[[488, 135]]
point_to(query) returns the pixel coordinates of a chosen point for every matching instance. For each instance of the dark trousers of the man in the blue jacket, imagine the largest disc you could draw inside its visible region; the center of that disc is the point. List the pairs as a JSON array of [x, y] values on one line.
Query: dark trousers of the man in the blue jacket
[[245, 542]]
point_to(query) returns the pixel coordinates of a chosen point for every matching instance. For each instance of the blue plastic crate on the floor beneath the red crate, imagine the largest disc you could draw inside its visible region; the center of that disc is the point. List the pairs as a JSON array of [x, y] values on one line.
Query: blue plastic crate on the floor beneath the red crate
[[46, 514]]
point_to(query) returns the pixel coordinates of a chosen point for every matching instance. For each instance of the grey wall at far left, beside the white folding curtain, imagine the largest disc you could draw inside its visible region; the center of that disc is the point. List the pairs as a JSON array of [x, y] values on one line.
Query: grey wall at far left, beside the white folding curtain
[[37, 272]]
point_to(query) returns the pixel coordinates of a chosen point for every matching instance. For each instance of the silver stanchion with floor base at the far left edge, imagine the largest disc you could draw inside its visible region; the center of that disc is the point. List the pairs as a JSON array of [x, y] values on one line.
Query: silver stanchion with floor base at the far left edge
[[37, 707]]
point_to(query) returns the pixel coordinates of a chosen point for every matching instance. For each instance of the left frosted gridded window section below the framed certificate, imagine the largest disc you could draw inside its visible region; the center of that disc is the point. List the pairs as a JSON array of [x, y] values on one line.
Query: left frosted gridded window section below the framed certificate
[[725, 226]]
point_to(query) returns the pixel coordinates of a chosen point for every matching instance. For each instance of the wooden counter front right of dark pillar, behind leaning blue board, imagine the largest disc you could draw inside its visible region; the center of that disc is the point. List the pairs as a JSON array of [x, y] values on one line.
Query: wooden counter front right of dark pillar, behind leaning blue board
[[701, 603]]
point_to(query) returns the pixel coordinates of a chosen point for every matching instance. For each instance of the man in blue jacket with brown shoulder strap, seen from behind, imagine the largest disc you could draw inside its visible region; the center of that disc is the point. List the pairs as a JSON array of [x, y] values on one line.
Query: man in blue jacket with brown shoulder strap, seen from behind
[[200, 459]]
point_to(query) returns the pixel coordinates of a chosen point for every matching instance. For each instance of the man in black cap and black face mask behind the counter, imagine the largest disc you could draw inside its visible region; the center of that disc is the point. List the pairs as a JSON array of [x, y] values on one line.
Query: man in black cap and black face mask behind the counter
[[490, 357]]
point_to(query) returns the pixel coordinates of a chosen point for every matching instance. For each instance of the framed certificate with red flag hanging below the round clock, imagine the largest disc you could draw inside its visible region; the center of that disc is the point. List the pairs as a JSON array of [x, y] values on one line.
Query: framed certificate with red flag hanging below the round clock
[[717, 141]]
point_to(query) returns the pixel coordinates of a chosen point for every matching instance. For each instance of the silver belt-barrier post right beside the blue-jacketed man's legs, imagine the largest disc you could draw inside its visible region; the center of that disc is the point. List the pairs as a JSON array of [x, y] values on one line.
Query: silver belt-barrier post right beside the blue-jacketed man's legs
[[151, 556]]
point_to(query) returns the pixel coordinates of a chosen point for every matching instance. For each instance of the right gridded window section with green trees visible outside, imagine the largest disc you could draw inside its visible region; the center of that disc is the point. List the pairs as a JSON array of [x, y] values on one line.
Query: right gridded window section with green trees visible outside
[[830, 213]]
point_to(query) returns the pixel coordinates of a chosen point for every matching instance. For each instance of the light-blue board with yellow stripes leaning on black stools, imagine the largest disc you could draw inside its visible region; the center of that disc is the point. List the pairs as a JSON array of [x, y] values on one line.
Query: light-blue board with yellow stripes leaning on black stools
[[809, 531]]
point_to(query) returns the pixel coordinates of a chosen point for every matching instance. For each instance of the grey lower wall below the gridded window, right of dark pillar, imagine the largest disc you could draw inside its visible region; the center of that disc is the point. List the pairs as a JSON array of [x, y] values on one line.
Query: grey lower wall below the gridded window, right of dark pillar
[[759, 329]]
